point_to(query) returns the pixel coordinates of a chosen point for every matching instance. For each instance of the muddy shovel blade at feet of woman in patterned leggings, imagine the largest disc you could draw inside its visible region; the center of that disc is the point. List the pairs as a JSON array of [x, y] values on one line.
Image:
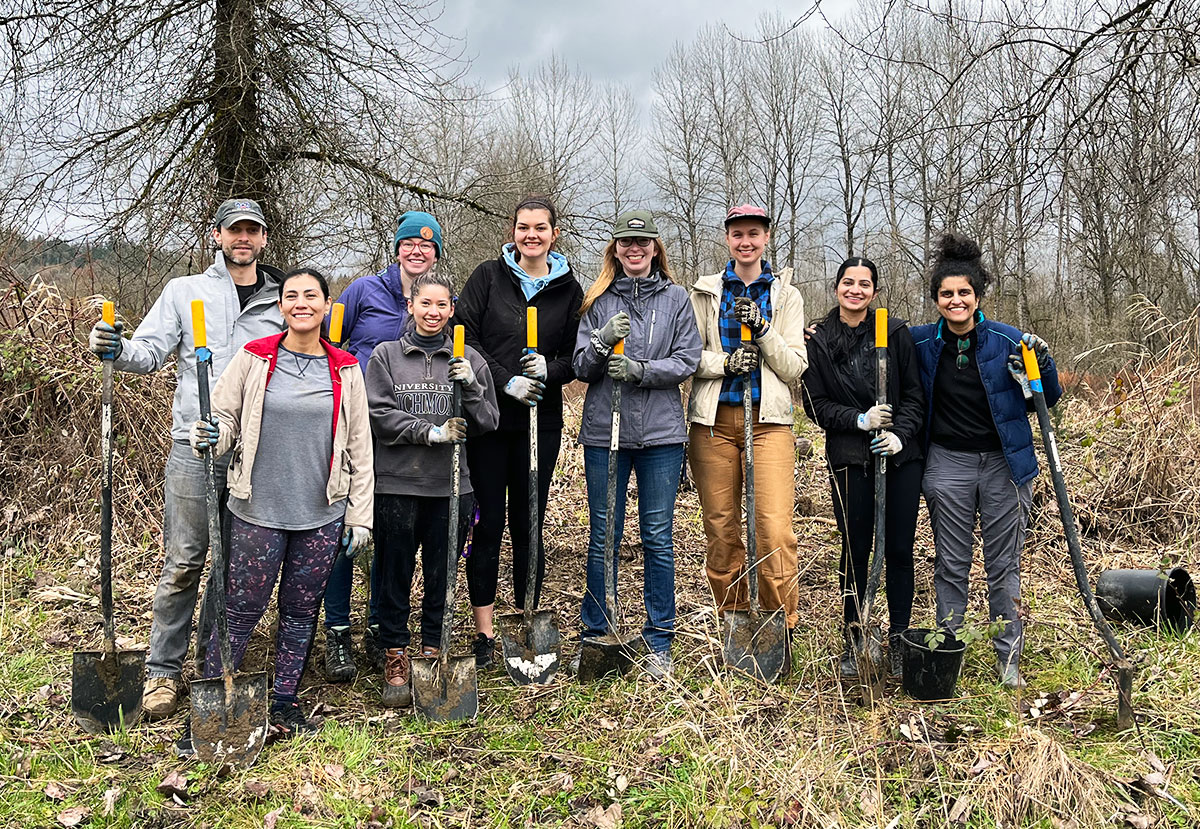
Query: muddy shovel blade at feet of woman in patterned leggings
[[230, 734]]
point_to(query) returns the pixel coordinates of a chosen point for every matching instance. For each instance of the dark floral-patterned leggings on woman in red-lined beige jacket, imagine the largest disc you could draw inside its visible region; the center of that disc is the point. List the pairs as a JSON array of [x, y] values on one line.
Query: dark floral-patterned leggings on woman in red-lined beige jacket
[[256, 555]]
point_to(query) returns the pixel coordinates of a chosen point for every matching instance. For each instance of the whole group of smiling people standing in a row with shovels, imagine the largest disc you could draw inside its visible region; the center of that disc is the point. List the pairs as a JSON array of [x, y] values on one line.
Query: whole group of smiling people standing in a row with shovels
[[321, 446]]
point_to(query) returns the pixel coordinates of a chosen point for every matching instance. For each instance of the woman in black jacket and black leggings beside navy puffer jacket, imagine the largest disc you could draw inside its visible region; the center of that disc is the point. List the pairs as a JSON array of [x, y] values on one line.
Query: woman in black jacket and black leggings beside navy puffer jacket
[[839, 397]]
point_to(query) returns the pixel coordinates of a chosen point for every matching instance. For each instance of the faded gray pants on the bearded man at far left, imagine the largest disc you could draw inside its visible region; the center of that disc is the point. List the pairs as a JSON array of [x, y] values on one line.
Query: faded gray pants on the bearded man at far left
[[185, 528]]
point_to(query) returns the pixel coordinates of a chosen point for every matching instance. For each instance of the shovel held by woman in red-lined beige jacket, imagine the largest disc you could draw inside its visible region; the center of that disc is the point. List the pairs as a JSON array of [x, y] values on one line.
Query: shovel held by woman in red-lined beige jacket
[[229, 713]]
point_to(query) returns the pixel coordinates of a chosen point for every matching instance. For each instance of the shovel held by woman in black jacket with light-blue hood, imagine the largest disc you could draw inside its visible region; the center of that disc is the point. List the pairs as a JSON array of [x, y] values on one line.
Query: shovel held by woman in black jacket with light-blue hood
[[531, 640]]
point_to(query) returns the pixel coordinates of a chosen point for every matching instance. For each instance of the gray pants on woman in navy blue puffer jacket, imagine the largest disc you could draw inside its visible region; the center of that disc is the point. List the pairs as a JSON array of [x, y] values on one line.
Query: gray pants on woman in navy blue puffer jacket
[[958, 486]]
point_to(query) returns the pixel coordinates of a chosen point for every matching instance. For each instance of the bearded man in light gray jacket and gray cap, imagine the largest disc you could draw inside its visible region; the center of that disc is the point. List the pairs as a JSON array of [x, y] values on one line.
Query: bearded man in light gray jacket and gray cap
[[241, 304]]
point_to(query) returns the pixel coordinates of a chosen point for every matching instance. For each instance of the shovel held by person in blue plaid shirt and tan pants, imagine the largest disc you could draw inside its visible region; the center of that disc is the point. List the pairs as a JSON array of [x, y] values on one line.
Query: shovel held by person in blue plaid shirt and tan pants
[[754, 642]]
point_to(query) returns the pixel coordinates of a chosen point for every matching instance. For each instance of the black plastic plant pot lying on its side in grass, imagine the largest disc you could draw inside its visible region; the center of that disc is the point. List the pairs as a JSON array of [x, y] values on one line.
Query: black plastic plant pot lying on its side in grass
[[1163, 599]]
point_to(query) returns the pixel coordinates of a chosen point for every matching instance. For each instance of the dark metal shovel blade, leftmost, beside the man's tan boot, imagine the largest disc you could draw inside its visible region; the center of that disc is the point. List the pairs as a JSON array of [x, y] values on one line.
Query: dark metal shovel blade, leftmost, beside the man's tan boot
[[106, 689]]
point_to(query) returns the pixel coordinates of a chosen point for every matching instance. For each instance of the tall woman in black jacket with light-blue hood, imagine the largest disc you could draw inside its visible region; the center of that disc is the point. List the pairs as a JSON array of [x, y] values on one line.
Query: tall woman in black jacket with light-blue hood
[[494, 308]]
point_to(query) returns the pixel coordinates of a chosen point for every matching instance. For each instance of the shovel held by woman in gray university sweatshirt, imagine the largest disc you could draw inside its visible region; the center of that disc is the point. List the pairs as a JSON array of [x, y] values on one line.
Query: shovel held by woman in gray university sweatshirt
[[443, 688]]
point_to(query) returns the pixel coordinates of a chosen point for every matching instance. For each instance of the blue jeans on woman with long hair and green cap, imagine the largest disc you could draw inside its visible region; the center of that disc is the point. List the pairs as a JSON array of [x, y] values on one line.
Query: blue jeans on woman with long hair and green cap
[[658, 482]]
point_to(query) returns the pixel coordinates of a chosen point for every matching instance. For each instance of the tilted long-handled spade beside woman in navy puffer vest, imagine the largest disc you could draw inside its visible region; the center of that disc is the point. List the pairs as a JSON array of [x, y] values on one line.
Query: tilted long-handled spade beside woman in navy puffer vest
[[1125, 669]]
